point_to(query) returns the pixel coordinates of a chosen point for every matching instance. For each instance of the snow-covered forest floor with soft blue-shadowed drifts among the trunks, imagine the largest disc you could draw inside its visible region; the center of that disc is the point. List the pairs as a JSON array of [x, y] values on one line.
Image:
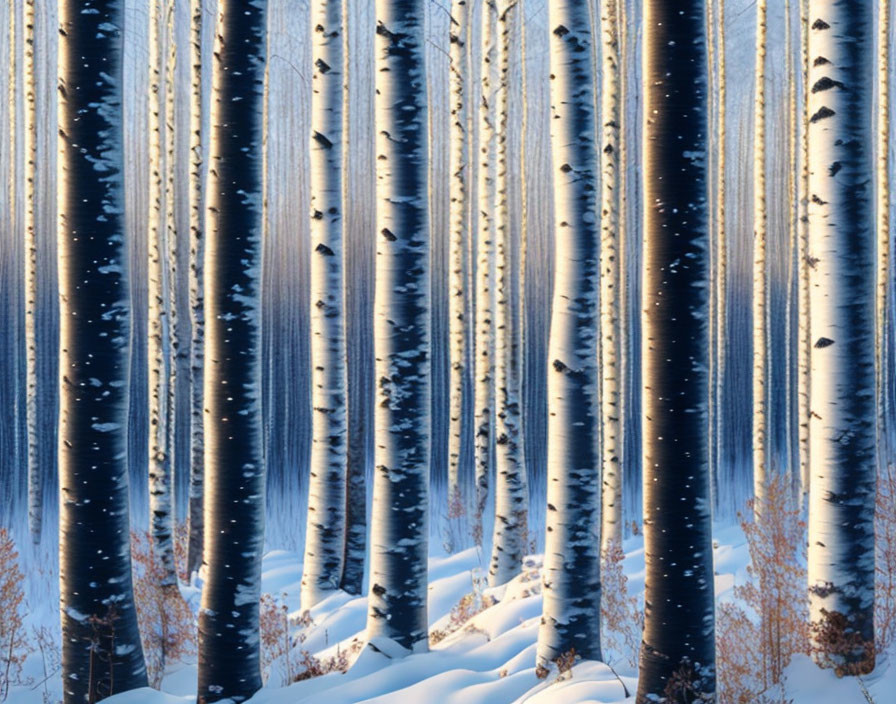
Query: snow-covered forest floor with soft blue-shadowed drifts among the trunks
[[482, 645]]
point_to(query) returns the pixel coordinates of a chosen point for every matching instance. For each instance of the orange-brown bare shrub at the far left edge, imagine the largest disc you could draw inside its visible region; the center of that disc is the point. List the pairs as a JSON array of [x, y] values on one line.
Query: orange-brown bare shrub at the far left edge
[[14, 646]]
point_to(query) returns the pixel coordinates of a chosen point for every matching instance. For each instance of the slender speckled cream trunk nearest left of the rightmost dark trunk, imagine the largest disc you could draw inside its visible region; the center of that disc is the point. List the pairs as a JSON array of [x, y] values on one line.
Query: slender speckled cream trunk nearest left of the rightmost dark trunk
[[611, 262]]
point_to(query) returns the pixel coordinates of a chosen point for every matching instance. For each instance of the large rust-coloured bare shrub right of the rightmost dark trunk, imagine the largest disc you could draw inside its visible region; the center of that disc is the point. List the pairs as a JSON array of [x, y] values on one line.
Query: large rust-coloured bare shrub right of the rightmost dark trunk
[[752, 651]]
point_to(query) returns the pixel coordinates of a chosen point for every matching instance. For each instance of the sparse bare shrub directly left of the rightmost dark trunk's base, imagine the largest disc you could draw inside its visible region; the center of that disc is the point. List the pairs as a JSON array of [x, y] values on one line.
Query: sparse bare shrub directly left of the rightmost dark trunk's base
[[622, 619]]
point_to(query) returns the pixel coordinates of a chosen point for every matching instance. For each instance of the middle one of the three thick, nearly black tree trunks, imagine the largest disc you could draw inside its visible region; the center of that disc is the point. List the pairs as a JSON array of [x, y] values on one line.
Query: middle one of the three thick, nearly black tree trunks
[[234, 461]]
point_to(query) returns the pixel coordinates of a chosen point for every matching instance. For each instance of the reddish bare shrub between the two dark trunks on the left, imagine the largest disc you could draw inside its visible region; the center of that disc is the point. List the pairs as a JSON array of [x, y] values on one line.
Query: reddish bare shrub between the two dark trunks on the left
[[167, 625]]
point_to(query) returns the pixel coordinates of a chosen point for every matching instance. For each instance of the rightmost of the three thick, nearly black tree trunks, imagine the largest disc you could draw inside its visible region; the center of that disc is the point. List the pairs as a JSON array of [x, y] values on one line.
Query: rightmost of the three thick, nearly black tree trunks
[[678, 634]]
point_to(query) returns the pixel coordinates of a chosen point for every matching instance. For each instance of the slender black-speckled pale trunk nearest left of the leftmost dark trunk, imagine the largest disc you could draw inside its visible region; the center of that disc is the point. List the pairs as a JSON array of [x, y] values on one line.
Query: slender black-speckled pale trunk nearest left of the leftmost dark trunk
[[35, 475]]
